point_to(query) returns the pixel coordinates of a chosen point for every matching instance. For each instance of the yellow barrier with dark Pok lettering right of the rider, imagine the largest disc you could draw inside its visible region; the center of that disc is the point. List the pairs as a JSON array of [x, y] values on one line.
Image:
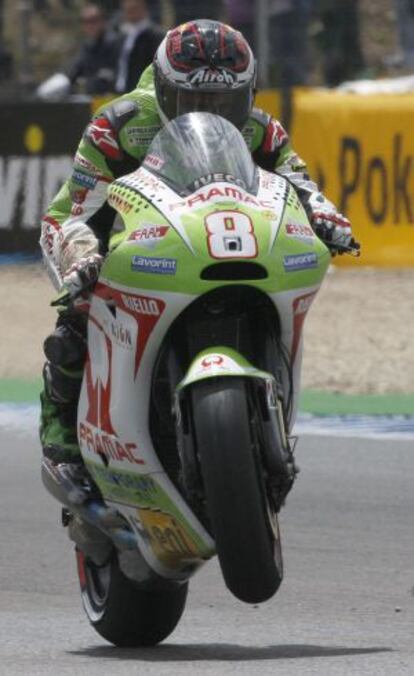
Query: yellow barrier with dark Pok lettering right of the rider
[[360, 149]]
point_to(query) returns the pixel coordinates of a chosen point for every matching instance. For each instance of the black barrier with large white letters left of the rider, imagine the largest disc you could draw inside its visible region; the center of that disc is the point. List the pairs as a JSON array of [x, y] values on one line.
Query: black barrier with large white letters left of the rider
[[37, 144]]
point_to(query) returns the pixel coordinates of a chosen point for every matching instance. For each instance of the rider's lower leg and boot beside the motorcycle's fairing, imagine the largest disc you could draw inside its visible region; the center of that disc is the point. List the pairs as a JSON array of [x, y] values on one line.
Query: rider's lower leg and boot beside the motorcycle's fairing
[[63, 470]]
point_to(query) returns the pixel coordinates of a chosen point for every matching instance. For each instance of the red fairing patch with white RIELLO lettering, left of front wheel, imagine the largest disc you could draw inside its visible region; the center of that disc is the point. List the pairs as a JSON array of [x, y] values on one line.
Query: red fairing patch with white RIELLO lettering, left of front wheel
[[146, 322]]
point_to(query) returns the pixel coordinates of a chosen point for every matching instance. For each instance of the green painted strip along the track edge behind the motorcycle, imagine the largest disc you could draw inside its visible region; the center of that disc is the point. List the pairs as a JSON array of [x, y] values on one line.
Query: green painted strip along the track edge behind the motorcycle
[[19, 391]]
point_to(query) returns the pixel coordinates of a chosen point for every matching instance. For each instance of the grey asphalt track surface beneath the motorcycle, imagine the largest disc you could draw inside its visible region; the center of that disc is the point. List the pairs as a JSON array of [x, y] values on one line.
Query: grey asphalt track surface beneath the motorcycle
[[346, 605]]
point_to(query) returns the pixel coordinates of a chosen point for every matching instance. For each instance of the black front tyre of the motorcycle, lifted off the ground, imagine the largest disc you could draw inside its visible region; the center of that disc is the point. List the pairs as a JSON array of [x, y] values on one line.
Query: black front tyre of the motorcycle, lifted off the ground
[[234, 488]]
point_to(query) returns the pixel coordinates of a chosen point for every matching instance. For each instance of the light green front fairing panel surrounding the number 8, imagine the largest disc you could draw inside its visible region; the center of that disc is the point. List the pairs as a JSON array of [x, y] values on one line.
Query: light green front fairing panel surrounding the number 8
[[189, 266]]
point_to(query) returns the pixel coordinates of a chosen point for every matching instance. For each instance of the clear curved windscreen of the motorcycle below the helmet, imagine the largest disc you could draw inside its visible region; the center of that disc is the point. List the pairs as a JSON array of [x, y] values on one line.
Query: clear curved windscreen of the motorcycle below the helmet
[[201, 148]]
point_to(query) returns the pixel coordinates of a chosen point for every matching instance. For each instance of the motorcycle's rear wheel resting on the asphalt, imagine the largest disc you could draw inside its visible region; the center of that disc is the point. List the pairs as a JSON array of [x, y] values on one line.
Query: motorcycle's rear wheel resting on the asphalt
[[122, 612]]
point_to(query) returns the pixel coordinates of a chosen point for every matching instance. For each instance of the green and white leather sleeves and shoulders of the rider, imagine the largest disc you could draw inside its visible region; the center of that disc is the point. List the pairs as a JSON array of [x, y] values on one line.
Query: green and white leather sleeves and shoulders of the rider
[[116, 141]]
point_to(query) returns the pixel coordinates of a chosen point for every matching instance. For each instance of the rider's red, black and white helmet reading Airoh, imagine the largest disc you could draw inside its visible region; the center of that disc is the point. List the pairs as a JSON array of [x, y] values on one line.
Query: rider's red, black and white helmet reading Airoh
[[205, 66]]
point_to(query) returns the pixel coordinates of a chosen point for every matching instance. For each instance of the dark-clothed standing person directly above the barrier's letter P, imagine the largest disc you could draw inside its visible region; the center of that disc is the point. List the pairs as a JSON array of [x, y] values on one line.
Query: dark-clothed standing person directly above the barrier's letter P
[[340, 41]]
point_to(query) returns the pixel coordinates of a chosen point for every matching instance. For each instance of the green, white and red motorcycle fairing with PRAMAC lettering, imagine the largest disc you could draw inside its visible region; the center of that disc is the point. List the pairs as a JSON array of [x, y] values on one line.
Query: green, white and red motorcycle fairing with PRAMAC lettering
[[157, 269]]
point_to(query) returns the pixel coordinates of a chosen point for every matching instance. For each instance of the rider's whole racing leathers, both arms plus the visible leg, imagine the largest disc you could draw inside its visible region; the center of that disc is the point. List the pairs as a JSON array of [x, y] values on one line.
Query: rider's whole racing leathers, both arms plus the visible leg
[[78, 223]]
